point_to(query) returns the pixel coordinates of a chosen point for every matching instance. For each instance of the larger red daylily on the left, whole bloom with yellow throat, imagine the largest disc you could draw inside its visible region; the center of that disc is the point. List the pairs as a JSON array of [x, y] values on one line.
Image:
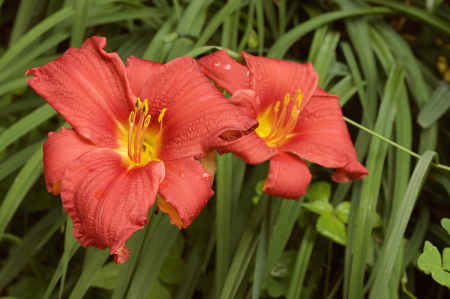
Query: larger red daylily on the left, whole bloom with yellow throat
[[136, 132]]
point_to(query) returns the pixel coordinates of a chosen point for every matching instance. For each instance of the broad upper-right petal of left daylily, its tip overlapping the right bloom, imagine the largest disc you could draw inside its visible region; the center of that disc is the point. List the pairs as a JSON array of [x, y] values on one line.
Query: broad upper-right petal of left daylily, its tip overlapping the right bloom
[[196, 111]]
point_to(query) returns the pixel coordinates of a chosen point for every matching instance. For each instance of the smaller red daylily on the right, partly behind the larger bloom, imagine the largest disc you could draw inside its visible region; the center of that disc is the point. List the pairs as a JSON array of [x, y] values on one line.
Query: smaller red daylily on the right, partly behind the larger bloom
[[296, 119]]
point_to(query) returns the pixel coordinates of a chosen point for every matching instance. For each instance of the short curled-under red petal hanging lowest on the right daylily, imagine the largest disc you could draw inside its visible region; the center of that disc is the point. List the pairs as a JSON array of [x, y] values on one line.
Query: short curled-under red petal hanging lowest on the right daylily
[[288, 176]]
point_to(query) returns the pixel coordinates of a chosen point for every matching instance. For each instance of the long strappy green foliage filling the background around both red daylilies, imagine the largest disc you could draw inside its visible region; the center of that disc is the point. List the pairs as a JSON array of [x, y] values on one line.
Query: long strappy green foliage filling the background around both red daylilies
[[385, 59]]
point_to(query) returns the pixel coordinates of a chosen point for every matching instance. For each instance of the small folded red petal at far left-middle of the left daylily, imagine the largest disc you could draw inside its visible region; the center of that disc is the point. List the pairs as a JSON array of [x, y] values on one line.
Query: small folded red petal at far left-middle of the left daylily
[[60, 149]]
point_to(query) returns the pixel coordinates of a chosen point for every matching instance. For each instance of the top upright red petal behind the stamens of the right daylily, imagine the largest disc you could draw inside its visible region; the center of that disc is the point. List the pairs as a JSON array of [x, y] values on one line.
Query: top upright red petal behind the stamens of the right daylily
[[273, 78]]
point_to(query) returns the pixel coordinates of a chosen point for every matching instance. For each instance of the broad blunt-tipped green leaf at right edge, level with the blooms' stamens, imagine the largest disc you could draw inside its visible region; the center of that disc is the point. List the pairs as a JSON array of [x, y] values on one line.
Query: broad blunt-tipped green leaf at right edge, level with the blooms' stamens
[[437, 106]]
